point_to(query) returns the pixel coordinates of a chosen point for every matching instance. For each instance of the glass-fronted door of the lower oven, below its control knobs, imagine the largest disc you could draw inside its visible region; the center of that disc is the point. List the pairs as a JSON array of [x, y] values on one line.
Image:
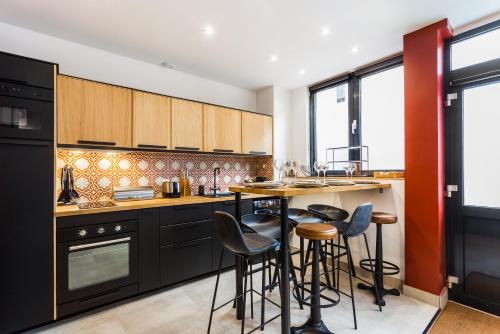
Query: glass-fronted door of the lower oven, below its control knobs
[[91, 267]]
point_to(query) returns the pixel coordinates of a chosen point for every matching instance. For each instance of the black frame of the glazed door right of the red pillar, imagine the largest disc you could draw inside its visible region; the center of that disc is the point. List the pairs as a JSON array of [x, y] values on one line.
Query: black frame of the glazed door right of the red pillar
[[456, 82]]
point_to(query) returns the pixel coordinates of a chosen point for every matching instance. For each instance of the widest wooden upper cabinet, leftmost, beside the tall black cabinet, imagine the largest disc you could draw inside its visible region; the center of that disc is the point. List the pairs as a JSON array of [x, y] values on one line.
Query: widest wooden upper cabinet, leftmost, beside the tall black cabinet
[[93, 113]]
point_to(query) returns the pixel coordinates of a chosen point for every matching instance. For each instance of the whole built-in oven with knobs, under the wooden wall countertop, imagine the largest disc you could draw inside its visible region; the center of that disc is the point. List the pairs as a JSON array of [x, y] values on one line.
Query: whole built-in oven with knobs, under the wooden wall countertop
[[96, 264]]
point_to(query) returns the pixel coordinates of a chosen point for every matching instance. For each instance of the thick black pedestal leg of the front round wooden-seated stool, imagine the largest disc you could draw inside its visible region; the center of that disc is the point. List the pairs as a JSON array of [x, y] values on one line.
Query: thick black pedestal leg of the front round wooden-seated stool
[[314, 324]]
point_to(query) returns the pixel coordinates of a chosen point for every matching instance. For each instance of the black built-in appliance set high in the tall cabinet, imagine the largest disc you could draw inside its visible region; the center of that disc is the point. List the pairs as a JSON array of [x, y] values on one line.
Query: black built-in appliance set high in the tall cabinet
[[26, 112]]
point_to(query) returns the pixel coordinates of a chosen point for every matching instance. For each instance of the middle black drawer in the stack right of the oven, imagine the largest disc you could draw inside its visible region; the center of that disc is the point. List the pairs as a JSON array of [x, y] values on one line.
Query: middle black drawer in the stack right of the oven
[[178, 233]]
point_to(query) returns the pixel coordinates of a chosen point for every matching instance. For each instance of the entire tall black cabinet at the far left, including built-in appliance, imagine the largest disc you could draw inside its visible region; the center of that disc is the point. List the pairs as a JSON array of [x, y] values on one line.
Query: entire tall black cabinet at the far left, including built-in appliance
[[26, 192]]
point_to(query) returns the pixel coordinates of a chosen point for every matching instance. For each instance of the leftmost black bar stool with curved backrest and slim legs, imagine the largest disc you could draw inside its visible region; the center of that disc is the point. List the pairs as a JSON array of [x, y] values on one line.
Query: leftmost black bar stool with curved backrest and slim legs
[[246, 246]]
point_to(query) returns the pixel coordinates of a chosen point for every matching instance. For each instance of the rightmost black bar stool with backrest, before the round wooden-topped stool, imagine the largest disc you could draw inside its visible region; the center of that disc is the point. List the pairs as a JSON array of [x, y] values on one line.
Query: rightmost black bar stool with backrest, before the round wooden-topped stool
[[358, 224]]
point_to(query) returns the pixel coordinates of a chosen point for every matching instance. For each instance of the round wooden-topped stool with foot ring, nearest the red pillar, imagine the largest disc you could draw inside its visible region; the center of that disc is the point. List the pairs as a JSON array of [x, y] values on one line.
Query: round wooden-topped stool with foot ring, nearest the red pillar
[[378, 266]]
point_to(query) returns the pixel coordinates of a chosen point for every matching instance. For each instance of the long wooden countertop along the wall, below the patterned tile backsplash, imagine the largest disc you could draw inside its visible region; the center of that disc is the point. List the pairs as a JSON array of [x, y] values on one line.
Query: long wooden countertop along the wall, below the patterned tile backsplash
[[73, 210]]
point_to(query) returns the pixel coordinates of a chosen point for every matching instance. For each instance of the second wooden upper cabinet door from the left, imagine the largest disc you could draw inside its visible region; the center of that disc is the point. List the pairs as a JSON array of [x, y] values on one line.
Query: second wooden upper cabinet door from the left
[[151, 121]]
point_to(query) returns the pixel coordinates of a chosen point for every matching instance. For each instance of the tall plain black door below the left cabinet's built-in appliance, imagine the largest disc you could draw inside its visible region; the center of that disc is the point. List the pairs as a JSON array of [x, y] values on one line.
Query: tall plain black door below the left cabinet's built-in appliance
[[26, 240]]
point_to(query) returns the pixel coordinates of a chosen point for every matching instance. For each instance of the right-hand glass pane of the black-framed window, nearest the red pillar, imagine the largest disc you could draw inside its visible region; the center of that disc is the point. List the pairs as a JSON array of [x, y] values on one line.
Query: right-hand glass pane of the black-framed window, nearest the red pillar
[[382, 119]]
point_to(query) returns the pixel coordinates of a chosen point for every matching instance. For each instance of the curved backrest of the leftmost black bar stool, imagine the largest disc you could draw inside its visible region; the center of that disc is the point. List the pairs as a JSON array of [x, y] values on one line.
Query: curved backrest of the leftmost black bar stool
[[228, 231]]
